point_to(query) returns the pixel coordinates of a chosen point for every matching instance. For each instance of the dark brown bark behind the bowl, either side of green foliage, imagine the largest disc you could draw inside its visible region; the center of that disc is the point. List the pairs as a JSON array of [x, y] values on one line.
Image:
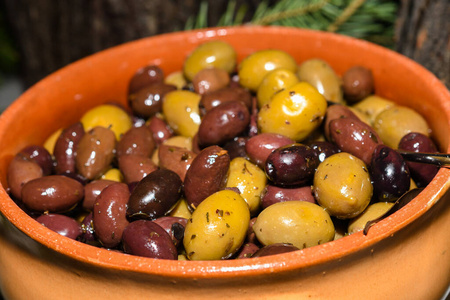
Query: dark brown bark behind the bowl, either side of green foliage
[[50, 34]]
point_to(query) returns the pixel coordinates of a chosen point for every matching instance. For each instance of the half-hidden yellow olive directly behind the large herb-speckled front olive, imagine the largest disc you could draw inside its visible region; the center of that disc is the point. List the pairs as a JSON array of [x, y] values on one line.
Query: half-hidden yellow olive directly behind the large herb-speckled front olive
[[249, 179]]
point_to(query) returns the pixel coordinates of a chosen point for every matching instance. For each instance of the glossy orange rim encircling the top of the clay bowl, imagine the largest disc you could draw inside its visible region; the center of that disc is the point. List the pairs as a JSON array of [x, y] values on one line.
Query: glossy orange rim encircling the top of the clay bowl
[[232, 268]]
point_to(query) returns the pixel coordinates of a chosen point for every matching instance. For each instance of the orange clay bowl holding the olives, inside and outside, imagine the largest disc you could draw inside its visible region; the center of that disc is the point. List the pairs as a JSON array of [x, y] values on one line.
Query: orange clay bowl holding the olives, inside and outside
[[406, 256]]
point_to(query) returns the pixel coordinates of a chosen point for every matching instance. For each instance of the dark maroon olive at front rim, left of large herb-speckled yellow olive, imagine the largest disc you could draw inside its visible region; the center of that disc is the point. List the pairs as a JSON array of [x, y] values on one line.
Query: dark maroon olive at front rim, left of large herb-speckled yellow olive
[[146, 238]]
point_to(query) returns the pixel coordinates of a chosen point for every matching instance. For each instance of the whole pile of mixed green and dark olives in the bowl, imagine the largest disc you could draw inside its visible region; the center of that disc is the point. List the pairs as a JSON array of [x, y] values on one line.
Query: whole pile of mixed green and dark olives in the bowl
[[226, 160]]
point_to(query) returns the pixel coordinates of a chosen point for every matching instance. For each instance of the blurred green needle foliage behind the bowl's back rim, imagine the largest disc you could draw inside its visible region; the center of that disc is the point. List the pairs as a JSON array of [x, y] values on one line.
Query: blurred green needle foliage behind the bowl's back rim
[[371, 20]]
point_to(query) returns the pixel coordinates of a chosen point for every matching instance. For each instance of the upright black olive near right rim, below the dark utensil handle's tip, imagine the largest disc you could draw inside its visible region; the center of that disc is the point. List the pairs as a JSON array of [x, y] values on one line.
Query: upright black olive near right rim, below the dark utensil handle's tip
[[389, 173]]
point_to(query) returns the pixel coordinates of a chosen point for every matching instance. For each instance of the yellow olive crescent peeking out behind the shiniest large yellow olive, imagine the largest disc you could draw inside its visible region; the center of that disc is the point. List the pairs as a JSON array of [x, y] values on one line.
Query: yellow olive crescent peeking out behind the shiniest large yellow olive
[[274, 82]]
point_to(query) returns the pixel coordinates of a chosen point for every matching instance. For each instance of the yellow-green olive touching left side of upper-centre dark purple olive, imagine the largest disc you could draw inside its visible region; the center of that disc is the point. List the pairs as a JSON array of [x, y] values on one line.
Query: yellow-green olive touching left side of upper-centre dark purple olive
[[181, 110]]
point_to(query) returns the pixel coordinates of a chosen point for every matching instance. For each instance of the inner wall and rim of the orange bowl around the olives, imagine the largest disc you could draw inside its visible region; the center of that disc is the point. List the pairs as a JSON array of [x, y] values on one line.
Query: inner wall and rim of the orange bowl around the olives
[[61, 98]]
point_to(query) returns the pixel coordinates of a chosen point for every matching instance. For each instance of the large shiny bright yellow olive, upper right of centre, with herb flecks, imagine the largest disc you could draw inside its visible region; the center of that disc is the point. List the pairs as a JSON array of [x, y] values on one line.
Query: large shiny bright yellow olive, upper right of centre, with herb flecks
[[294, 112]]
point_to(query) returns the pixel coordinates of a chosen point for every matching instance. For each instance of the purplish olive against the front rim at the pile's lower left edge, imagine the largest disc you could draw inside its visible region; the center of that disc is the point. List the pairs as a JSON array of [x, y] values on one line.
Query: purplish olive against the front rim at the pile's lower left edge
[[61, 224]]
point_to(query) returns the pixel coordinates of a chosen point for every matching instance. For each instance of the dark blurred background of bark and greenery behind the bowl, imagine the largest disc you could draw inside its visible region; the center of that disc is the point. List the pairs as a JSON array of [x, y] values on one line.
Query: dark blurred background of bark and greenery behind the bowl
[[38, 37]]
